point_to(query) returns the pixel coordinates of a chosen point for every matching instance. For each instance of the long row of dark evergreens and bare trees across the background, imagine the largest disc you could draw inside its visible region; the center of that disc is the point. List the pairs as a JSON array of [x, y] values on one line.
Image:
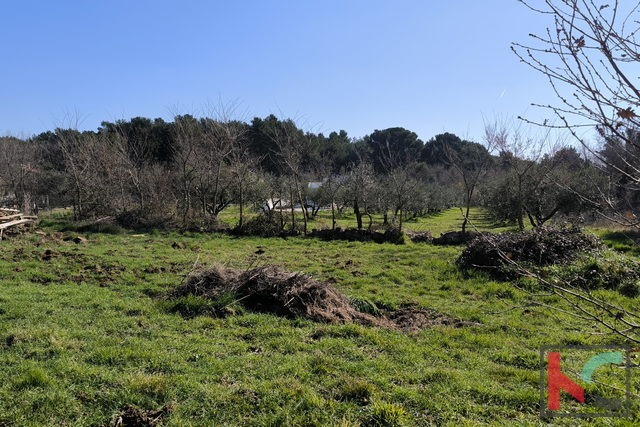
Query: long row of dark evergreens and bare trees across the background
[[153, 173]]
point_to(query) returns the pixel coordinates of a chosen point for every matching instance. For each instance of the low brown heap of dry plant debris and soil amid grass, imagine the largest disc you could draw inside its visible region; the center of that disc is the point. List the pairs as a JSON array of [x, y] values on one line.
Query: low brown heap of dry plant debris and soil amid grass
[[272, 290]]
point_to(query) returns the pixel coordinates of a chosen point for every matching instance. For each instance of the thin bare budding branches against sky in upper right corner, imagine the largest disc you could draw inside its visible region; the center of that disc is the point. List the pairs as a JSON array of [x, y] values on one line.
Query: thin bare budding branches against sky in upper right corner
[[590, 57]]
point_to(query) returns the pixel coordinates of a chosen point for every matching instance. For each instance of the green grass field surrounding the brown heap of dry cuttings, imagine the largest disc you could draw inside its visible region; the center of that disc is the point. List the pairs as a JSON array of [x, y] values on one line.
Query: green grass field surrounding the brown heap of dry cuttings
[[83, 334]]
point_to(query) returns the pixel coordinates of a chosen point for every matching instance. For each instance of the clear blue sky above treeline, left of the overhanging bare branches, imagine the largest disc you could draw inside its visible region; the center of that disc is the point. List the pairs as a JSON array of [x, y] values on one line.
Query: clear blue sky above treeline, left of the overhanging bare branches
[[425, 65]]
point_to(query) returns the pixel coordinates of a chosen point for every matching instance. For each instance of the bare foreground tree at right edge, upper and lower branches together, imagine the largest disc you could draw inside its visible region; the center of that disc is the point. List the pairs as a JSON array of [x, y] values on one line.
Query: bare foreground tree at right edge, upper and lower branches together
[[590, 57]]
